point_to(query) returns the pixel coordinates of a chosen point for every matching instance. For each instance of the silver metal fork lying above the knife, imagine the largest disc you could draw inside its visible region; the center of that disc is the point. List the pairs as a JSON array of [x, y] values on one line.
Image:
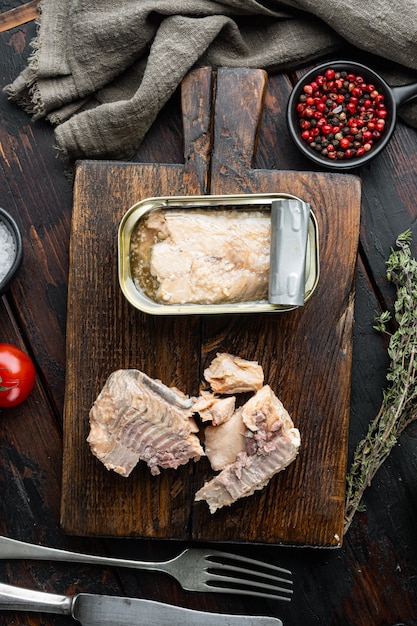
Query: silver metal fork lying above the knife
[[195, 569]]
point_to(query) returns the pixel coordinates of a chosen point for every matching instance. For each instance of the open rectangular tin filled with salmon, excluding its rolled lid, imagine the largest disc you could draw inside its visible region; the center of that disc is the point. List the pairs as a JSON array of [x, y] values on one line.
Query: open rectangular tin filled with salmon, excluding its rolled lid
[[182, 255]]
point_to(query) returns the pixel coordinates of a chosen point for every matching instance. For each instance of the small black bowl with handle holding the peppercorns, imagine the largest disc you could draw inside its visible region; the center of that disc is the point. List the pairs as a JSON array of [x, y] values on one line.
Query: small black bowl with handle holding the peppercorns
[[394, 96]]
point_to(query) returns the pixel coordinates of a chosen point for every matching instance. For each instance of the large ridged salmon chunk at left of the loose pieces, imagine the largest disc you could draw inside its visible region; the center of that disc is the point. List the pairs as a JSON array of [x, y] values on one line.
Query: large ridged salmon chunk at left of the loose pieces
[[138, 418]]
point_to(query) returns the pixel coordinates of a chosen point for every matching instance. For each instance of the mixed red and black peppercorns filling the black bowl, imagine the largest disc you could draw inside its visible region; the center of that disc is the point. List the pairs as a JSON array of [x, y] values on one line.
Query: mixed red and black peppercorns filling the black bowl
[[341, 115]]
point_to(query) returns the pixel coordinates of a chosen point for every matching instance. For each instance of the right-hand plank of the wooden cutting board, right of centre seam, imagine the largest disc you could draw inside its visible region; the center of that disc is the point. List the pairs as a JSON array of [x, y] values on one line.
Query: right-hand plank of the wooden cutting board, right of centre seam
[[306, 354]]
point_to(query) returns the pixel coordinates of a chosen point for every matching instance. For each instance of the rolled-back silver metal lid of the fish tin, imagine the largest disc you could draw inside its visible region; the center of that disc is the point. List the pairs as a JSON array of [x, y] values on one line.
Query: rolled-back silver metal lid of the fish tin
[[289, 232]]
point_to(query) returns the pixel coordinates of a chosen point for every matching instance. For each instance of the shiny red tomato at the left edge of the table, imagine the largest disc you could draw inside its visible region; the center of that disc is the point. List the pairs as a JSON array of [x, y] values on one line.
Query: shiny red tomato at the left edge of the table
[[17, 375]]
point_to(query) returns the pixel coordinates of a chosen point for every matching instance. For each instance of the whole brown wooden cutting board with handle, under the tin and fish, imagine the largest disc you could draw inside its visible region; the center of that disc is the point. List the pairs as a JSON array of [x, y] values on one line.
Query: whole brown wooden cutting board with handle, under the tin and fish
[[306, 354]]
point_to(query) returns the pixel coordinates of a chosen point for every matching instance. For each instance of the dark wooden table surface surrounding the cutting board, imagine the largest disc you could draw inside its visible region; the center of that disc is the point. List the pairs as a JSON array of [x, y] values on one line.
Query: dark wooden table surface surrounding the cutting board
[[371, 579]]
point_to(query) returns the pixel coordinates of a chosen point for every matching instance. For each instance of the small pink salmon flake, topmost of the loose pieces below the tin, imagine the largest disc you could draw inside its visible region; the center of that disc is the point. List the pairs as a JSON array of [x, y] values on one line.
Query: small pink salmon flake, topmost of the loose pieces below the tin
[[228, 374]]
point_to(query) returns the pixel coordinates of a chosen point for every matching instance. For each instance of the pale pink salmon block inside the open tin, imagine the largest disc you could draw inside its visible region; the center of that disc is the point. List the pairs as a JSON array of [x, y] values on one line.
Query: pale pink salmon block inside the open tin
[[212, 257]]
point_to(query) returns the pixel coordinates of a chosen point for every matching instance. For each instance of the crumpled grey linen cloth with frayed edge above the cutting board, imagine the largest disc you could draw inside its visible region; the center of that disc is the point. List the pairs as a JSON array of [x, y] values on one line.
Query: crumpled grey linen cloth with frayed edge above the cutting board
[[101, 70]]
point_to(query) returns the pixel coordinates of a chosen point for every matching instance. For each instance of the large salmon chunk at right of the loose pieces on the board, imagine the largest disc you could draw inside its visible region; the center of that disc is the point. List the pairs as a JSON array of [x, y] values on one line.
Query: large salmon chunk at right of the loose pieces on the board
[[271, 444]]
